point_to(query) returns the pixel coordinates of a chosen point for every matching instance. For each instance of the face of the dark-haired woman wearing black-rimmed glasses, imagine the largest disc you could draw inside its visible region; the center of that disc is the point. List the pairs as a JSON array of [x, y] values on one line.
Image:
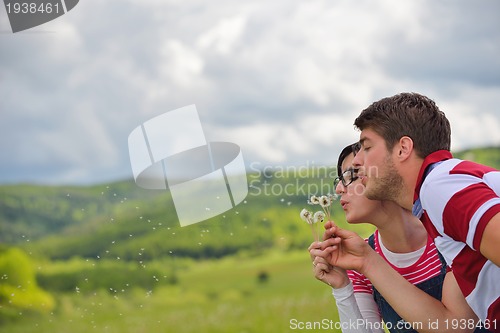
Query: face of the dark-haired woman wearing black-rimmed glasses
[[356, 206]]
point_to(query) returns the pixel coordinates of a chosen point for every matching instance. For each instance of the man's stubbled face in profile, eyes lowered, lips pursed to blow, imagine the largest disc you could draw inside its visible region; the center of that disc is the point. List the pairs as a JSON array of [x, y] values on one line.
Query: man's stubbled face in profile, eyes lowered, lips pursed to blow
[[377, 169]]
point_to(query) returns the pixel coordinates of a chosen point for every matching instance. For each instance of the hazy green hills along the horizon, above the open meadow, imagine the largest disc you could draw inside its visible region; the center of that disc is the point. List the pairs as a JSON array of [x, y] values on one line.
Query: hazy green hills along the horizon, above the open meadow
[[123, 220]]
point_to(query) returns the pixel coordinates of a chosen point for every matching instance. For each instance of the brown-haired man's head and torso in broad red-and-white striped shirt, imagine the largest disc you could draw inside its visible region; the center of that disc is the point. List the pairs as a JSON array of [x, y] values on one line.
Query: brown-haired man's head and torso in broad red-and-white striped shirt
[[405, 157]]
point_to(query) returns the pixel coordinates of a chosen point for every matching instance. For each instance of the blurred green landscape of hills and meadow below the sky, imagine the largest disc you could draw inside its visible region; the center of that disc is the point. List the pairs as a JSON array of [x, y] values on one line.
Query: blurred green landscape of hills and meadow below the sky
[[113, 258]]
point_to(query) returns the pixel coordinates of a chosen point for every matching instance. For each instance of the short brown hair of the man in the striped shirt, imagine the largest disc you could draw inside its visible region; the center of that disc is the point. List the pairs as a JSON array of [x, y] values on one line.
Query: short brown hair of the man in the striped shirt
[[408, 114]]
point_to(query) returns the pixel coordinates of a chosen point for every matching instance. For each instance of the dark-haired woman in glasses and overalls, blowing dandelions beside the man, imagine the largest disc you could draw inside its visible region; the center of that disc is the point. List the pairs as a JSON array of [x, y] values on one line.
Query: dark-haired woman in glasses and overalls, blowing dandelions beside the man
[[402, 241]]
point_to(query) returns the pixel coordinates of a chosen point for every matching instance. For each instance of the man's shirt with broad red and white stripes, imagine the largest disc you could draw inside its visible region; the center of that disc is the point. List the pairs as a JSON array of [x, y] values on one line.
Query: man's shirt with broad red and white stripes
[[459, 198]]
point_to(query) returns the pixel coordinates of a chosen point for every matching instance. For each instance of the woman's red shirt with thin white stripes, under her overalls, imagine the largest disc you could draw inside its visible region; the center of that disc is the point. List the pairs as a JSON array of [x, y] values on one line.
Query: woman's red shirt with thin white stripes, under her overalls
[[426, 267]]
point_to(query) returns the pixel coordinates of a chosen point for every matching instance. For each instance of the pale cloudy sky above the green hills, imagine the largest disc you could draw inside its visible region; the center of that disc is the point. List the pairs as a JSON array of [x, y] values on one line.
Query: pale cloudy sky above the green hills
[[283, 79]]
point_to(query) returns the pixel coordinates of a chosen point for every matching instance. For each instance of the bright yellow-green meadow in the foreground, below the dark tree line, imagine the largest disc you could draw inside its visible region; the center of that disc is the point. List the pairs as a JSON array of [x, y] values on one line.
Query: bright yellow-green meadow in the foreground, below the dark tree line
[[234, 294]]
